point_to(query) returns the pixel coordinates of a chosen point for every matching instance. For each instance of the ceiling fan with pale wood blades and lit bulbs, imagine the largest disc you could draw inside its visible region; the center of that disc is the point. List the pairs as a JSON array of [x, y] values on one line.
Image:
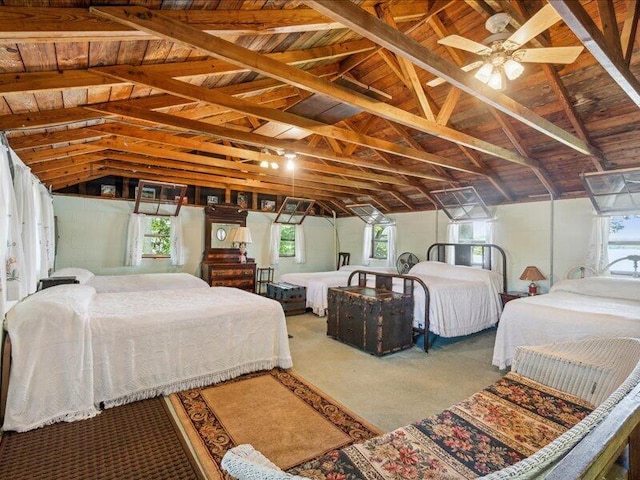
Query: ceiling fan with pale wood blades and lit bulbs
[[501, 53]]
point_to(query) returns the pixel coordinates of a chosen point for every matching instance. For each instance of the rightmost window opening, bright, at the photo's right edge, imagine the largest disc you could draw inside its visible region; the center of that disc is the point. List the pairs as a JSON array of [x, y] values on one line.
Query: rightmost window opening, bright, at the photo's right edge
[[624, 240]]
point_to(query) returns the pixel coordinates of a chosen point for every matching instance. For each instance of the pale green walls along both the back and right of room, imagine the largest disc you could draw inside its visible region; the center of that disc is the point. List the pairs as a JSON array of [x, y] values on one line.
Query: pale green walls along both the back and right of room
[[93, 235]]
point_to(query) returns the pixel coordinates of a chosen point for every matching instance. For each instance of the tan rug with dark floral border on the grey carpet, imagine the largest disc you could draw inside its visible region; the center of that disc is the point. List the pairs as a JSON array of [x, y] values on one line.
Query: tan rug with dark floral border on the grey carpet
[[280, 414]]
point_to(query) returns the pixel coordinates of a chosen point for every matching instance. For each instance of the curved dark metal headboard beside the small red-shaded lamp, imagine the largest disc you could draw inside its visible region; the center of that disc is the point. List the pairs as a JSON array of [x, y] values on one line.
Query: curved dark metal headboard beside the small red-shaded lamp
[[462, 254]]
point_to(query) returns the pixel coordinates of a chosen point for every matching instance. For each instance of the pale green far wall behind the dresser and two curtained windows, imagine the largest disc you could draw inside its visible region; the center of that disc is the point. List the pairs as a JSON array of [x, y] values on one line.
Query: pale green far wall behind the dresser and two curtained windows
[[92, 235]]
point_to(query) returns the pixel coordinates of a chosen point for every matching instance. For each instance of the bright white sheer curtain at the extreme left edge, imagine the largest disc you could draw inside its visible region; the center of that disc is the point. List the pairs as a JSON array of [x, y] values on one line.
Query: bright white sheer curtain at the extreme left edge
[[11, 285]]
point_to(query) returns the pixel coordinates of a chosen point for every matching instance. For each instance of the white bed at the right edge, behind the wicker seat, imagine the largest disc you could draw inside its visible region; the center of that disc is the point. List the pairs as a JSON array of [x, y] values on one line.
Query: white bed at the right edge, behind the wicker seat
[[573, 309]]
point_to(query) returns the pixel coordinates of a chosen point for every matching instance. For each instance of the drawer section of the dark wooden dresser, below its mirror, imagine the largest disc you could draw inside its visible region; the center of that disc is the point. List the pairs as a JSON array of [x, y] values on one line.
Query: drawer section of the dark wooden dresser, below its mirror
[[223, 269]]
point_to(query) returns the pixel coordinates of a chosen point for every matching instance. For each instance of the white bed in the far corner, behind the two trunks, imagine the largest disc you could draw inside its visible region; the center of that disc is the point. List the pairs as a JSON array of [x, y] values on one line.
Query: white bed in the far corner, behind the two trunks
[[318, 283]]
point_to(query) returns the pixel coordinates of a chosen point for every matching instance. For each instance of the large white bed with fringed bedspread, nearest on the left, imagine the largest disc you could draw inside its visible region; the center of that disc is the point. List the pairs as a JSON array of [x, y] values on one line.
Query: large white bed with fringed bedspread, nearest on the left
[[74, 350]]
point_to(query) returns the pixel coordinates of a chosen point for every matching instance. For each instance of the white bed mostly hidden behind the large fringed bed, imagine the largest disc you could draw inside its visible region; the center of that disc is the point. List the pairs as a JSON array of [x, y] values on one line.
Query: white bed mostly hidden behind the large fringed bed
[[141, 282]]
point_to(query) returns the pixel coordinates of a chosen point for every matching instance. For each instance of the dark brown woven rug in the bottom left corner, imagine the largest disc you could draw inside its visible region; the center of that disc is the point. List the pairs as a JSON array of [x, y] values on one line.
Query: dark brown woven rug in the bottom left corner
[[132, 442]]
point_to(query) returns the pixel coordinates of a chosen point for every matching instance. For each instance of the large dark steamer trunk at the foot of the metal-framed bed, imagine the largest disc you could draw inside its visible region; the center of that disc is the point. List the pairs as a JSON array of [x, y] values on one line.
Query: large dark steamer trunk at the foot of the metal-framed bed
[[374, 320]]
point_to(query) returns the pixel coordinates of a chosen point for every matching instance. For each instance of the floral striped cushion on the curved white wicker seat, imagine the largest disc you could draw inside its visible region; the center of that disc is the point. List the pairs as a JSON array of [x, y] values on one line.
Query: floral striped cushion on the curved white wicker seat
[[494, 428]]
